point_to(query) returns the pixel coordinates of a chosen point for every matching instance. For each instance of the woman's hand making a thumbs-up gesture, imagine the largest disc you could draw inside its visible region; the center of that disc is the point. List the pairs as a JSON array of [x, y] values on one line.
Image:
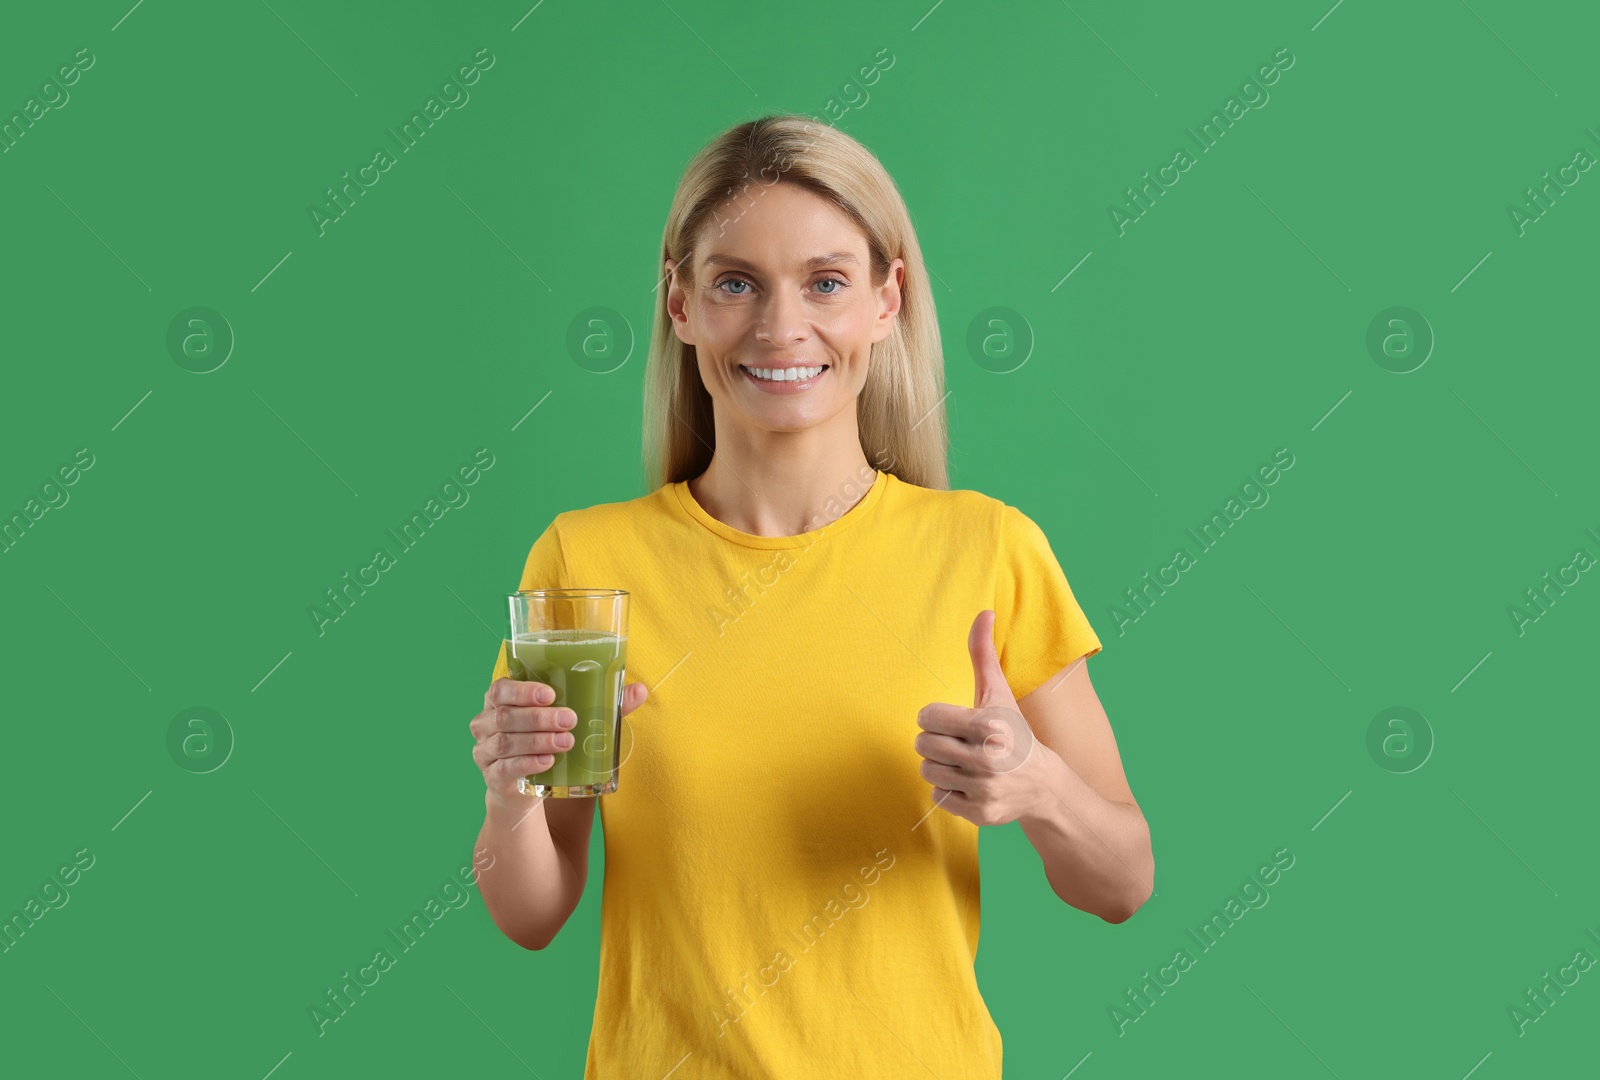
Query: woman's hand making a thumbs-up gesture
[[983, 762]]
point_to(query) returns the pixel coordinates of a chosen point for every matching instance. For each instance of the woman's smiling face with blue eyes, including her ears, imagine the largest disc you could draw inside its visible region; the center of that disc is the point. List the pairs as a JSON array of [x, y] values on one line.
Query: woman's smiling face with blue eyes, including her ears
[[785, 290]]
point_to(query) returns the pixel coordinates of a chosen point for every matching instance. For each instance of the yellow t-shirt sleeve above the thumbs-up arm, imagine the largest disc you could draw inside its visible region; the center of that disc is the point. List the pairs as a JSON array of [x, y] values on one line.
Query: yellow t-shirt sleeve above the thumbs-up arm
[[1039, 625]]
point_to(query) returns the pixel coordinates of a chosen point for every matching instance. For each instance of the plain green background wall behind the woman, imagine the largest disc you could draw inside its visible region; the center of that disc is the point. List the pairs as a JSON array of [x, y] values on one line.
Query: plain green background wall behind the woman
[[374, 361]]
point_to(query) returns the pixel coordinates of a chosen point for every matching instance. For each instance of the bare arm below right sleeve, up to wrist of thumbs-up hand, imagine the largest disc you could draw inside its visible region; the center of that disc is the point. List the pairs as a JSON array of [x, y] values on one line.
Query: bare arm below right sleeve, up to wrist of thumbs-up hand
[[1089, 830]]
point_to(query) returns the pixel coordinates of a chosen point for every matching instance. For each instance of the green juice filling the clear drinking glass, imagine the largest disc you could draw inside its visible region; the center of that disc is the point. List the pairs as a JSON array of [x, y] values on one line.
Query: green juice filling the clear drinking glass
[[586, 670]]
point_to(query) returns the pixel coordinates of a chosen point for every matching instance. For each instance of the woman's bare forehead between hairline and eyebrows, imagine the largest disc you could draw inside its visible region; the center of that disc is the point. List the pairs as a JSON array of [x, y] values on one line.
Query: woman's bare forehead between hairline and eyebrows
[[780, 228]]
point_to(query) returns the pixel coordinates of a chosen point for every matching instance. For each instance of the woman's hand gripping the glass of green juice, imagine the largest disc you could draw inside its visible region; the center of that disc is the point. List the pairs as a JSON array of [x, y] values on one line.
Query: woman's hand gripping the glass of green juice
[[519, 732]]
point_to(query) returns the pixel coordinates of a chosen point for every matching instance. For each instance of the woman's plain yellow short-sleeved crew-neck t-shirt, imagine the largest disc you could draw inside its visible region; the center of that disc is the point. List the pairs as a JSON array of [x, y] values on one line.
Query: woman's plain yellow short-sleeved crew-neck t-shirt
[[778, 898]]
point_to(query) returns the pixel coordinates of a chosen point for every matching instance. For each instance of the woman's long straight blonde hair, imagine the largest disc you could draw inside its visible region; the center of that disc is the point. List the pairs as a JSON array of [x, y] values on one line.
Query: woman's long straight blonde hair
[[900, 412]]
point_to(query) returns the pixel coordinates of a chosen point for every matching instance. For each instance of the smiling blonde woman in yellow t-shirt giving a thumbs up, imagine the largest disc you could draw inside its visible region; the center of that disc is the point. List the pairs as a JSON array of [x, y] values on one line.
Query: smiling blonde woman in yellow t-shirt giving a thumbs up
[[791, 857]]
